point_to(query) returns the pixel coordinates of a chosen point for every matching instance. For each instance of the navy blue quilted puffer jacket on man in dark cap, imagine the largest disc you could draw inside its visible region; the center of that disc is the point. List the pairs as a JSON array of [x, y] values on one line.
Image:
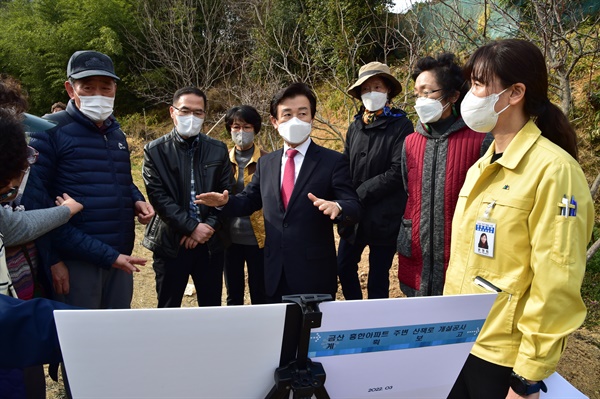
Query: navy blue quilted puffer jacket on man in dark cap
[[92, 165]]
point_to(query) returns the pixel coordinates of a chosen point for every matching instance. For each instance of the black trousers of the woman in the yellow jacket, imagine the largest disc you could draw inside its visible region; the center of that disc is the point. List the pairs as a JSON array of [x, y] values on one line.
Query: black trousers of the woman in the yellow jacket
[[481, 379]]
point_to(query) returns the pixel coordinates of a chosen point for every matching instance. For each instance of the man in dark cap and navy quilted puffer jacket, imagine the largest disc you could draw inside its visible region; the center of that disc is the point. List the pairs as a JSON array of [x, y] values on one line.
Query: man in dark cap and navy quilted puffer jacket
[[87, 155]]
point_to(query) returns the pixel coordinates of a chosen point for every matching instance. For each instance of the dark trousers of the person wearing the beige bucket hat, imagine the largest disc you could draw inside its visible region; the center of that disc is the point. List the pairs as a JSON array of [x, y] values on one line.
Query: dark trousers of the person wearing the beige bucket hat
[[380, 262]]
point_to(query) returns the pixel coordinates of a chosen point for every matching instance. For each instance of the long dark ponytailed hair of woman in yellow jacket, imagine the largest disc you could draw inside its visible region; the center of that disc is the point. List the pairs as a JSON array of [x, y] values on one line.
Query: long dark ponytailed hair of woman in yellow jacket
[[519, 61]]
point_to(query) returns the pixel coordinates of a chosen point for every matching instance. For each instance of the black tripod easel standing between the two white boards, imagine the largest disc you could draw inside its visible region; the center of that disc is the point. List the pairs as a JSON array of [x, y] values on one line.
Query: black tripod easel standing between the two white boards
[[303, 376]]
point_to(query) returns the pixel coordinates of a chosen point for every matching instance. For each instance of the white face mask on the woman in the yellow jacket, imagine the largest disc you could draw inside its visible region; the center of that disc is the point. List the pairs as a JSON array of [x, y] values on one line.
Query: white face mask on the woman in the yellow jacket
[[478, 112]]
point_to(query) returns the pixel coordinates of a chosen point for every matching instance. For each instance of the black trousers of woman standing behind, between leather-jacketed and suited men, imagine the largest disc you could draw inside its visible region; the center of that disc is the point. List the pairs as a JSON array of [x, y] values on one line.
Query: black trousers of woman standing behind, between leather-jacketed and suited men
[[236, 256]]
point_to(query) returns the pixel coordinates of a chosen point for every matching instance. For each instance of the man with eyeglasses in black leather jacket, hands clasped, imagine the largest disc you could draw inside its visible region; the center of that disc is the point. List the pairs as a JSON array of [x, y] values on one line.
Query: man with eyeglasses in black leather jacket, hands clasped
[[184, 236]]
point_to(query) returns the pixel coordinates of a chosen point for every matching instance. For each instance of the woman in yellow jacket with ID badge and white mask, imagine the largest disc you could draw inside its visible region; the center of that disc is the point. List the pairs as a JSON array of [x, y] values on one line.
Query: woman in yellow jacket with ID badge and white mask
[[530, 198]]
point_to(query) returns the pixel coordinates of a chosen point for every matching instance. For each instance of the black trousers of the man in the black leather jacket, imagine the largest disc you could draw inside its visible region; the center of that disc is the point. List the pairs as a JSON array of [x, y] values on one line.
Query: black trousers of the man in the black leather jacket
[[172, 276]]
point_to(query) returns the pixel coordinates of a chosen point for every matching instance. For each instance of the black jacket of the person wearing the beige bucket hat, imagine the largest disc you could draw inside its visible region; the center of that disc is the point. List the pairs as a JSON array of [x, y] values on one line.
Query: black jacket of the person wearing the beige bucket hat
[[375, 152]]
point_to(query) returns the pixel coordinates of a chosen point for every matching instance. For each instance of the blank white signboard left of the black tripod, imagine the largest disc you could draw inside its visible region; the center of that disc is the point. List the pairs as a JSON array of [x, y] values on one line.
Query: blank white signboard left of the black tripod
[[225, 352]]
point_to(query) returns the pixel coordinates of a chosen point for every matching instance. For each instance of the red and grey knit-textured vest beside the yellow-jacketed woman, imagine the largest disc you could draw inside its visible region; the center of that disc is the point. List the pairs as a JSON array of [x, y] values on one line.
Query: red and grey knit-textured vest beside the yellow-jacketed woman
[[433, 170]]
